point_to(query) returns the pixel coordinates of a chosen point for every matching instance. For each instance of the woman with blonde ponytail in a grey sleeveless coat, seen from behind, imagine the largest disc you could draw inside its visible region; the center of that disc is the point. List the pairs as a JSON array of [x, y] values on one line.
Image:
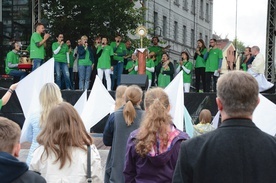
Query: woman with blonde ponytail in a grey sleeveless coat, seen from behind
[[116, 132]]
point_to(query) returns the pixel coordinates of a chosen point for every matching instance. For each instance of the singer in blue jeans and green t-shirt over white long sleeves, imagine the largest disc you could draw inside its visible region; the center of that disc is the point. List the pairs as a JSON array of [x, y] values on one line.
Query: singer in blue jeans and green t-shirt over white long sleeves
[[61, 57]]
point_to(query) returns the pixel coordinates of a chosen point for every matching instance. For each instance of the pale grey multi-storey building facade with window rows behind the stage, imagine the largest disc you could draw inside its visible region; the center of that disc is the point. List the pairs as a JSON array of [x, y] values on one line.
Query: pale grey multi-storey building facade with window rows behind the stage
[[180, 23]]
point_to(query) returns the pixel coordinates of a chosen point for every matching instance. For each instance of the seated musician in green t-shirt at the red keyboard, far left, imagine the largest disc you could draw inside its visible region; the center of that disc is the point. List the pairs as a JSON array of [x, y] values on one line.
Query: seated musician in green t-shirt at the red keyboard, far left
[[12, 61]]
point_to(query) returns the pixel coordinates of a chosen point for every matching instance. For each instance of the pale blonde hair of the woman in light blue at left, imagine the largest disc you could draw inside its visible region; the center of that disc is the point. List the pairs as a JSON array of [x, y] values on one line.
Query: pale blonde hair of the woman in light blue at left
[[49, 96]]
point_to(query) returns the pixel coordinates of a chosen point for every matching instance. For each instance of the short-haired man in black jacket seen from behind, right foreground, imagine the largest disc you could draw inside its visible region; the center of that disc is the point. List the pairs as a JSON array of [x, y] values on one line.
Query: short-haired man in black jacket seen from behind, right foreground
[[237, 151]]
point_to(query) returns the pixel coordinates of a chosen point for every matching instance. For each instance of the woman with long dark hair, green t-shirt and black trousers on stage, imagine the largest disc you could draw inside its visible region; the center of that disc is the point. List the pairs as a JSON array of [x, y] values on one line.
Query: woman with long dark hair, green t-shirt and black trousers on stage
[[200, 65]]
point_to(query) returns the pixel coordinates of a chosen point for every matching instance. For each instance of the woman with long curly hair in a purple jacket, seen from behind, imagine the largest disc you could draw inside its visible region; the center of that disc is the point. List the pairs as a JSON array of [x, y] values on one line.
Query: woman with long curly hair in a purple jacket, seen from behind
[[152, 150]]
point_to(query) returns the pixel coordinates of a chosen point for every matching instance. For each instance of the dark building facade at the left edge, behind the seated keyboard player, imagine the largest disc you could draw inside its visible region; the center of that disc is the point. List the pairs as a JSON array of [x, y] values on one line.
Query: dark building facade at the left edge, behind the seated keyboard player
[[15, 24]]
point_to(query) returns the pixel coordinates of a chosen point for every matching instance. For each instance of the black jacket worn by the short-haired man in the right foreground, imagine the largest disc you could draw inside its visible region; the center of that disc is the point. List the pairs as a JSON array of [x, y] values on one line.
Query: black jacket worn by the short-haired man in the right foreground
[[237, 152]]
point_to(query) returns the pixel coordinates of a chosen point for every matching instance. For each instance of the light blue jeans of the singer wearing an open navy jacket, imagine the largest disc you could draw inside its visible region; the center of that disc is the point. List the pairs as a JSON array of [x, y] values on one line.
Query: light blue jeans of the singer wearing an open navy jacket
[[84, 76]]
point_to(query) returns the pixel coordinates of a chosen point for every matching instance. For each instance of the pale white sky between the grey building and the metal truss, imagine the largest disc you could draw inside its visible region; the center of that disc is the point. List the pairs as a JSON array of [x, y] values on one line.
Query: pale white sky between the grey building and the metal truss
[[251, 21]]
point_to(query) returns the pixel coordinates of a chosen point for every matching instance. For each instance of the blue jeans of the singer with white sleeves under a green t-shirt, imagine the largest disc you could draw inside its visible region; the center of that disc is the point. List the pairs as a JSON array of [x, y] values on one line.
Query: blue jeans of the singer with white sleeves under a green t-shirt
[[61, 66]]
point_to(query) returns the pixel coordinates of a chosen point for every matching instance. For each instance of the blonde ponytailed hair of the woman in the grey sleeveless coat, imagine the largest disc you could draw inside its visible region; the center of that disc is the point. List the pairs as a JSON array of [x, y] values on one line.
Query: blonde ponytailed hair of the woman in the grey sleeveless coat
[[133, 97]]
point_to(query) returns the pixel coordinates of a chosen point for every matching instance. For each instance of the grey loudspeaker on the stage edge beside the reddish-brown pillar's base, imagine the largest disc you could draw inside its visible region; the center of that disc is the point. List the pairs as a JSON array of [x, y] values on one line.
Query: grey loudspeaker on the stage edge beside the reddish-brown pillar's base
[[139, 79]]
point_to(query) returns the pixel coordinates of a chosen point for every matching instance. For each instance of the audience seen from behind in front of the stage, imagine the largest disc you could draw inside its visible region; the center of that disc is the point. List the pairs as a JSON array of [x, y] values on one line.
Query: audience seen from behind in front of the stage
[[145, 144]]
